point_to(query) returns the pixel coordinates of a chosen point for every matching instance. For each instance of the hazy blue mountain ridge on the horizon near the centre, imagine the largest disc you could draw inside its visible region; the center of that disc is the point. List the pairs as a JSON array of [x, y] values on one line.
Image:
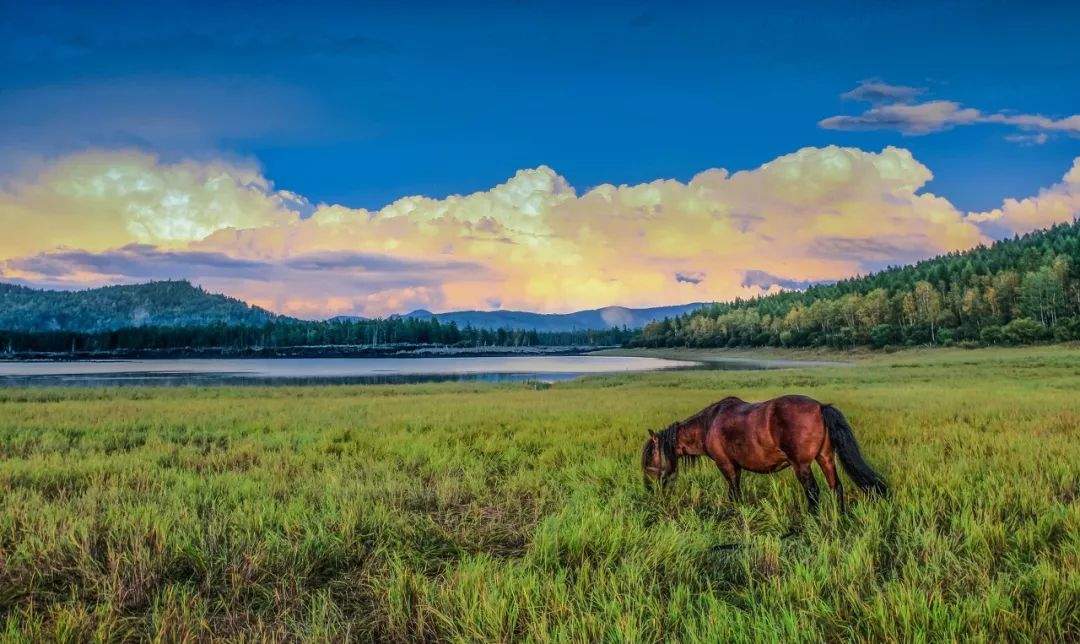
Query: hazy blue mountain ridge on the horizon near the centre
[[593, 319]]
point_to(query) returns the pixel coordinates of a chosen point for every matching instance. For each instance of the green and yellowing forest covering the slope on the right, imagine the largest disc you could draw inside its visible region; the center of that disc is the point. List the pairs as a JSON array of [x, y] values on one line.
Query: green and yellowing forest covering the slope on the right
[[1019, 291]]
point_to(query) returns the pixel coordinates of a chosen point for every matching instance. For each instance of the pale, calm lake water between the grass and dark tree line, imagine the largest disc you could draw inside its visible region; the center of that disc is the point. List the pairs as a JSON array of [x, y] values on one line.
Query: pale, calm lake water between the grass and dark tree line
[[321, 370]]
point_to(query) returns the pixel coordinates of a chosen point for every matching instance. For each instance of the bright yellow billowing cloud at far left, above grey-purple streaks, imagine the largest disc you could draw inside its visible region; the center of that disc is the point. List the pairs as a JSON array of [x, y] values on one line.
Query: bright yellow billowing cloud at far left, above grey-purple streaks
[[99, 200]]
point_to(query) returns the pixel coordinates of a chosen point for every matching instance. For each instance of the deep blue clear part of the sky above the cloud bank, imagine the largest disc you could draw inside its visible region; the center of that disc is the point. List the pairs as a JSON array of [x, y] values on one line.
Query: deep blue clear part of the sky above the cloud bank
[[361, 105]]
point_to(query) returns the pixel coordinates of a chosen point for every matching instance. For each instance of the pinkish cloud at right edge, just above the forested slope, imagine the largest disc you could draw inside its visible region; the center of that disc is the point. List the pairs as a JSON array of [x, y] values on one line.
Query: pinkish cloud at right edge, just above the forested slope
[[1057, 205]]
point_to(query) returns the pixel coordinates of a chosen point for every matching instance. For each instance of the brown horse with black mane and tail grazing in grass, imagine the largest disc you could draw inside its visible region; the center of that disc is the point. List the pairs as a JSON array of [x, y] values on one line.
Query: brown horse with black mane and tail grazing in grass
[[766, 437]]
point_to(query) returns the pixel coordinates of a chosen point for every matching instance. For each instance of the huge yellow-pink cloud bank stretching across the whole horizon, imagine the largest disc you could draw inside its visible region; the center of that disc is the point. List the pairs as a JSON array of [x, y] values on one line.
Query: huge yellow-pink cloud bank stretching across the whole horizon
[[533, 243]]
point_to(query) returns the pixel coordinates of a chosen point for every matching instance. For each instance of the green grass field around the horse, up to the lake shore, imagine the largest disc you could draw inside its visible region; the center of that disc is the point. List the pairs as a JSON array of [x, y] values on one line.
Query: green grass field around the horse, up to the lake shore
[[499, 513]]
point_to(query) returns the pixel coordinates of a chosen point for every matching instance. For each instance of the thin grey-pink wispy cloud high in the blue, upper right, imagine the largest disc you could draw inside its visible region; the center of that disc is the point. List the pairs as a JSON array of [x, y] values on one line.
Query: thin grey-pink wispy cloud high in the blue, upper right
[[893, 111]]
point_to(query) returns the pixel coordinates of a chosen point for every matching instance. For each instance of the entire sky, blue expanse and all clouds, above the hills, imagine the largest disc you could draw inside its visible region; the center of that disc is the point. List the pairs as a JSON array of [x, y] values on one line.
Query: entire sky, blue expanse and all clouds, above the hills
[[325, 159]]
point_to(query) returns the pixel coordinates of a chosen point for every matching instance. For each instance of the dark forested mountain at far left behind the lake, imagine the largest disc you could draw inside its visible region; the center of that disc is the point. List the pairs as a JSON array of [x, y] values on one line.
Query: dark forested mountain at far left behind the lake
[[154, 304]]
